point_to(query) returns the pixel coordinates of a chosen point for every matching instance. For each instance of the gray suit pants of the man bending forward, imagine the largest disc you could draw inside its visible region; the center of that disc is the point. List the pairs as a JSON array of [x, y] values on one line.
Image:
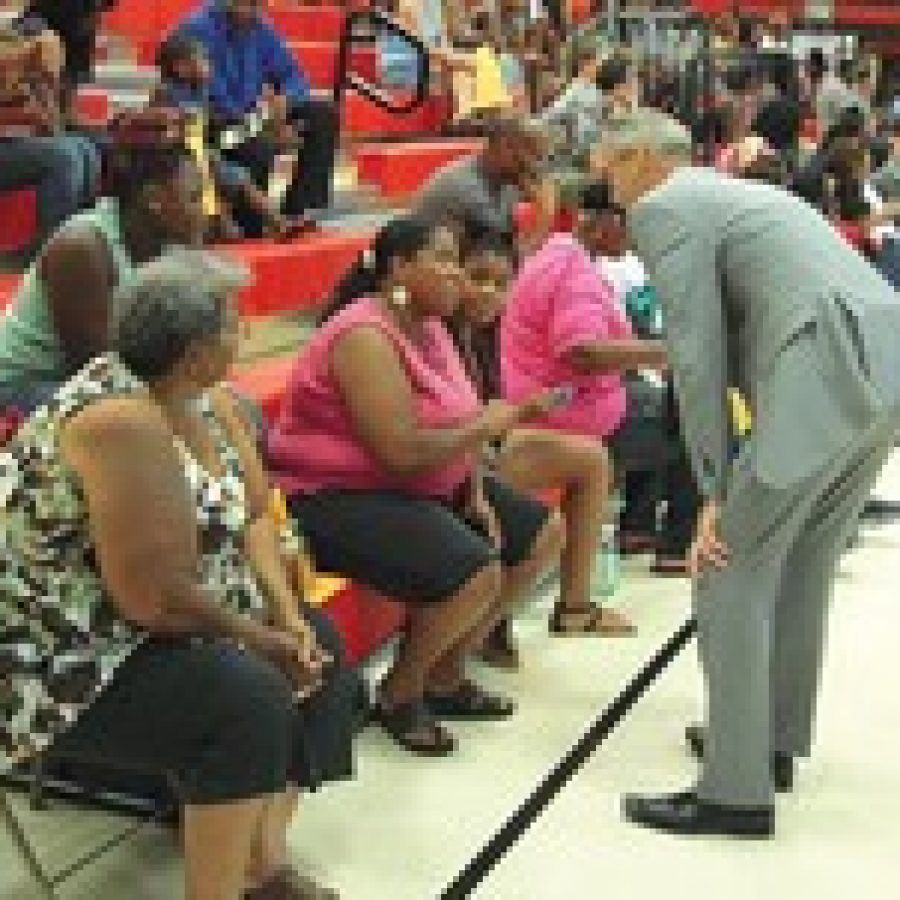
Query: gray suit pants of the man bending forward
[[762, 618]]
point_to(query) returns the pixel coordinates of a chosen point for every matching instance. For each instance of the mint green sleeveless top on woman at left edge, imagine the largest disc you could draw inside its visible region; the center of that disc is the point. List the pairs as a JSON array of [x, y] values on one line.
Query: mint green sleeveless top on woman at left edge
[[30, 351]]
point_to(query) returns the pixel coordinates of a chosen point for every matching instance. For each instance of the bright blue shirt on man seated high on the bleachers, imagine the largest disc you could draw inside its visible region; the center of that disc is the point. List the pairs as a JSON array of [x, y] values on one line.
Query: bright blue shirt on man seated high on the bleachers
[[243, 61]]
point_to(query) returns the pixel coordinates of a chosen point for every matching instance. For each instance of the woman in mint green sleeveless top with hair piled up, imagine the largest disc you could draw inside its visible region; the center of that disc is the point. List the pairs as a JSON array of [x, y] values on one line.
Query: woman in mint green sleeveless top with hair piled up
[[60, 316]]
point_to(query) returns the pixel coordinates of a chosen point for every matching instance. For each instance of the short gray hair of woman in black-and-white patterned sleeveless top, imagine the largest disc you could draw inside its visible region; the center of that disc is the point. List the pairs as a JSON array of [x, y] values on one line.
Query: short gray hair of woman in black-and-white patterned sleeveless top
[[180, 298]]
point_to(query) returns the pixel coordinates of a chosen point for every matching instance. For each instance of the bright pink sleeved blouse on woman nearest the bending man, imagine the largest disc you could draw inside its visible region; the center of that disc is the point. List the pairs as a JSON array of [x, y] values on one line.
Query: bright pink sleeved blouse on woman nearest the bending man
[[557, 302]]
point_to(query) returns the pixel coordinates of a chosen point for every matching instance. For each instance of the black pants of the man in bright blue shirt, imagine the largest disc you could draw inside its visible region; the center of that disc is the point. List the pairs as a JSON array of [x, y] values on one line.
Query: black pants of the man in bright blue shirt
[[317, 123]]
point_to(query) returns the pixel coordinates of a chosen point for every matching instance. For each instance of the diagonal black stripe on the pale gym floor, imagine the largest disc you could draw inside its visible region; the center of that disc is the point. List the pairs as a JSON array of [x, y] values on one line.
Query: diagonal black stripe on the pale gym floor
[[522, 819]]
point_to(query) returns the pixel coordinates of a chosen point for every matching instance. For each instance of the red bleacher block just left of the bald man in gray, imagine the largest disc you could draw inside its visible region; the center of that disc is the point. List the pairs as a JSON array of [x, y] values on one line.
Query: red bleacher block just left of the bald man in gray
[[399, 169]]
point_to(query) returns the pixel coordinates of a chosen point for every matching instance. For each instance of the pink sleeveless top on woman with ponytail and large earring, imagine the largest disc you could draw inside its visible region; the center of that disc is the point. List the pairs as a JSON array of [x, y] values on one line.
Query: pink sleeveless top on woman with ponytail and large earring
[[314, 445]]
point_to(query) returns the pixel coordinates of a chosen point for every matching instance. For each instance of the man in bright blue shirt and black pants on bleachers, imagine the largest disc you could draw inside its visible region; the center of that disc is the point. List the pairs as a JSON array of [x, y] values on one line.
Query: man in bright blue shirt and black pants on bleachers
[[248, 58]]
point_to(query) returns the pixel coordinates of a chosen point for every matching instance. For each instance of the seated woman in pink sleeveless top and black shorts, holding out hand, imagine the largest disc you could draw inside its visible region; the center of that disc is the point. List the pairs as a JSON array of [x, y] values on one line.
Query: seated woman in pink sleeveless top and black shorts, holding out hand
[[375, 447]]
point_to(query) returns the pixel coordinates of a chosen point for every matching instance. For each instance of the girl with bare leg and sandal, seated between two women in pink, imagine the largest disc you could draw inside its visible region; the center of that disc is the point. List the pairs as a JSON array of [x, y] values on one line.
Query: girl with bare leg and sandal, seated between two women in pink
[[532, 459]]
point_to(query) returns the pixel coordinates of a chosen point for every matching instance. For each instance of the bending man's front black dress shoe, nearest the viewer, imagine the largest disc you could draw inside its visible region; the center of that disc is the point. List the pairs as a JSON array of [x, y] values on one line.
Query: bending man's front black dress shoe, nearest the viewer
[[686, 814]]
